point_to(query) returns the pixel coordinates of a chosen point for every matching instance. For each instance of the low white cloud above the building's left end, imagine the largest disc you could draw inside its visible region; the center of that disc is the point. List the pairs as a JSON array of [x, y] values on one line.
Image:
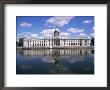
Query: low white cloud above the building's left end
[[27, 35]]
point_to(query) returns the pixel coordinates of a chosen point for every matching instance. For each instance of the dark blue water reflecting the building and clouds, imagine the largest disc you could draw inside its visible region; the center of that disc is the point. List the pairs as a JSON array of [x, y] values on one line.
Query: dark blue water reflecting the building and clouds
[[55, 61]]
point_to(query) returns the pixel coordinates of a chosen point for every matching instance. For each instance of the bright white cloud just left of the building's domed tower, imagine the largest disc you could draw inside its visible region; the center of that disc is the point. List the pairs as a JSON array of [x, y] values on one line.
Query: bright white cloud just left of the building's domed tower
[[48, 32]]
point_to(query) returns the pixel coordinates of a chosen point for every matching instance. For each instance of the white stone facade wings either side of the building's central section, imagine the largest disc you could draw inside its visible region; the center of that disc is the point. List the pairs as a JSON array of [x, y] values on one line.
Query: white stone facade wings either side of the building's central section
[[47, 43]]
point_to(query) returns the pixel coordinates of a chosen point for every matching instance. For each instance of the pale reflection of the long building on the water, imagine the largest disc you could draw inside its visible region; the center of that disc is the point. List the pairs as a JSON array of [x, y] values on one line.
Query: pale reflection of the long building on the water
[[55, 52]]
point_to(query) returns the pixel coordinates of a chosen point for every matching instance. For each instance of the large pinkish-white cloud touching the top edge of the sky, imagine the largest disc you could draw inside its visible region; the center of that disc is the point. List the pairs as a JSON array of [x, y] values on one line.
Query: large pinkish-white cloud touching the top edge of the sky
[[59, 20]]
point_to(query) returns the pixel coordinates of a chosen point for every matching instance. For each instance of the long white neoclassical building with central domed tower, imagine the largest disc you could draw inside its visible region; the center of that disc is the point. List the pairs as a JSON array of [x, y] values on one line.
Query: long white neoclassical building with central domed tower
[[57, 41]]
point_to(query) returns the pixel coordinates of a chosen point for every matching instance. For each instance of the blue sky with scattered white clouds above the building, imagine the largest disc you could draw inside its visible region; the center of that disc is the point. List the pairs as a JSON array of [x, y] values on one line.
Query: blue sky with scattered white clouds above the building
[[44, 26]]
